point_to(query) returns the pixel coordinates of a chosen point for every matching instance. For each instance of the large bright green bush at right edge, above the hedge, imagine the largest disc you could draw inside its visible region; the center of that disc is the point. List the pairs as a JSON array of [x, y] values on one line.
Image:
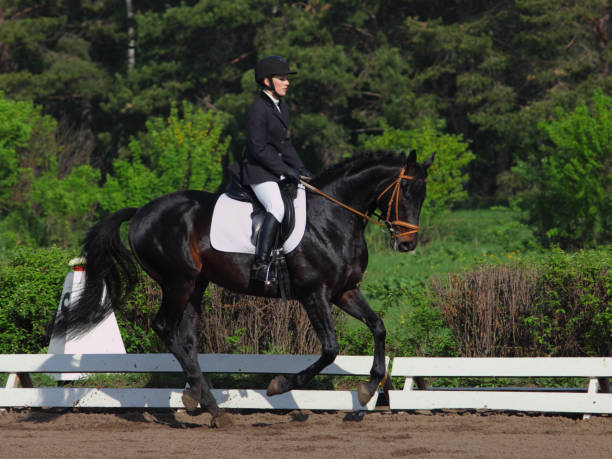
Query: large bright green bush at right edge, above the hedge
[[568, 183]]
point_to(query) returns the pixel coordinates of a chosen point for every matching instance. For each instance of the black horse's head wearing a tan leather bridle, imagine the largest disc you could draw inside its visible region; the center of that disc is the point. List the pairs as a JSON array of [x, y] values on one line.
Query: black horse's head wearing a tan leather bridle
[[401, 203]]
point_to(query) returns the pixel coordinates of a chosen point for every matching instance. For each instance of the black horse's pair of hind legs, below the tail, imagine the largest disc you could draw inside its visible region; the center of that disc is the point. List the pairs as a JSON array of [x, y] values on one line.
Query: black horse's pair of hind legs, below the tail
[[177, 324]]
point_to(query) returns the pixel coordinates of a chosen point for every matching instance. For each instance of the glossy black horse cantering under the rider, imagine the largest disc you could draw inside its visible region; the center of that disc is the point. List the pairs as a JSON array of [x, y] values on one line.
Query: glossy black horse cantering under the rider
[[170, 239]]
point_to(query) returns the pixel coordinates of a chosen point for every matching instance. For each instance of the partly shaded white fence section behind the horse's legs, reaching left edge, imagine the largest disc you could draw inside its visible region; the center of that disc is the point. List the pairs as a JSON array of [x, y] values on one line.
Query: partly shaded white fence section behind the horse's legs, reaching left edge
[[24, 364]]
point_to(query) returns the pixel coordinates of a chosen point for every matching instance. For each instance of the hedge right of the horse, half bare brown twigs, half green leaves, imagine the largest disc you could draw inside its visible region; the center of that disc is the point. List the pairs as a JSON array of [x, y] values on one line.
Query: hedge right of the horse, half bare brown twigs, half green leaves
[[559, 306]]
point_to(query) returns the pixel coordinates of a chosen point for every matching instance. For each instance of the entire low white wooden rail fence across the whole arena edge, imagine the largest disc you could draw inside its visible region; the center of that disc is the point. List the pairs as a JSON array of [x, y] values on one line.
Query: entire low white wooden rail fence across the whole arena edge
[[595, 399]]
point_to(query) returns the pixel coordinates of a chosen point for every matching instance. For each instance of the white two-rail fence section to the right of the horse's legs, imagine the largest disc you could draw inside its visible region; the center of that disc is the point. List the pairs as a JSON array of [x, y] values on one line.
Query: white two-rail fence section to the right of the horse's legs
[[596, 399]]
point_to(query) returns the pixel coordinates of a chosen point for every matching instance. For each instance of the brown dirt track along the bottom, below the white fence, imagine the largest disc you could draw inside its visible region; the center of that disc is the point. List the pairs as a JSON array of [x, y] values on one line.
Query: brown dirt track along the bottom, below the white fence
[[42, 433]]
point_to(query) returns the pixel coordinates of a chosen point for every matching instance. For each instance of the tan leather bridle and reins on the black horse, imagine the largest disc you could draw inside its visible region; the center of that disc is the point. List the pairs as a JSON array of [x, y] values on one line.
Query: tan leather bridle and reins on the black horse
[[393, 203]]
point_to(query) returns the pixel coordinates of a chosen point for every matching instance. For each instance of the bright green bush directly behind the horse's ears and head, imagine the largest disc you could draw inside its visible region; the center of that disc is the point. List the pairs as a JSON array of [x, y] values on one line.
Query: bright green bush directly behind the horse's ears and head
[[445, 185]]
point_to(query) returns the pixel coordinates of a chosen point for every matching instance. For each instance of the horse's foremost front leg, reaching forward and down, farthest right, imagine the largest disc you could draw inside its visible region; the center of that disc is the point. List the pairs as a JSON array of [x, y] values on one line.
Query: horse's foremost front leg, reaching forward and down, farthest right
[[353, 302]]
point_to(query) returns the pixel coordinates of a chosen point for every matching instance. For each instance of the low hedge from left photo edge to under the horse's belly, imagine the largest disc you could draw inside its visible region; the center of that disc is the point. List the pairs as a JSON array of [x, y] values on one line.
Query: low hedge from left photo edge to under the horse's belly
[[31, 282]]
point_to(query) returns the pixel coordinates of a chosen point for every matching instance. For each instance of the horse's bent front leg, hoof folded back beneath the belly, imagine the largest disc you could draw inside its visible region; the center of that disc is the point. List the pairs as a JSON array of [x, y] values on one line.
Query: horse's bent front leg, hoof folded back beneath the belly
[[319, 312]]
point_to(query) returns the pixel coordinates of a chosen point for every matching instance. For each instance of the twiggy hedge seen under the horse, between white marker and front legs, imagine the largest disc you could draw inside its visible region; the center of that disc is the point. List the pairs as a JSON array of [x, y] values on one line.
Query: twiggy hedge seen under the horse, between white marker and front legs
[[230, 323]]
